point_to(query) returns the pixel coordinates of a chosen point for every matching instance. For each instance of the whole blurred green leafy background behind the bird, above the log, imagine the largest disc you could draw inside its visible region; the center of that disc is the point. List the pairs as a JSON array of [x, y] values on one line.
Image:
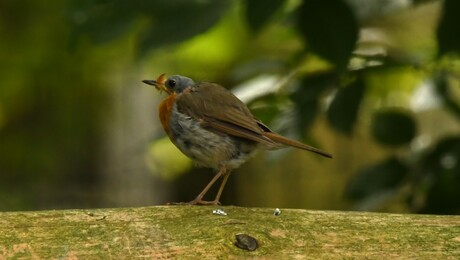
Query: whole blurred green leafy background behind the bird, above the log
[[376, 83]]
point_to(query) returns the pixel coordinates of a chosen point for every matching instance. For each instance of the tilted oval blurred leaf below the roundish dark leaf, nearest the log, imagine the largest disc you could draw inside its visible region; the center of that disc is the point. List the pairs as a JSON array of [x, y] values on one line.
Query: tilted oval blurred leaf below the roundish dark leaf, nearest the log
[[384, 176]]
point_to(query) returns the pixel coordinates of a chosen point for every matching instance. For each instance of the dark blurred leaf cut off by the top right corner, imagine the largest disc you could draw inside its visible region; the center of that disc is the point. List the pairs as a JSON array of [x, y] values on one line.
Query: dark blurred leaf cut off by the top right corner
[[448, 33]]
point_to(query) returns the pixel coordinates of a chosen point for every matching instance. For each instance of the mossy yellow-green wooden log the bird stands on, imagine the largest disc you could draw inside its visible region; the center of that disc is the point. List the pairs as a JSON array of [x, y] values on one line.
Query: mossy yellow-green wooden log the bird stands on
[[194, 231]]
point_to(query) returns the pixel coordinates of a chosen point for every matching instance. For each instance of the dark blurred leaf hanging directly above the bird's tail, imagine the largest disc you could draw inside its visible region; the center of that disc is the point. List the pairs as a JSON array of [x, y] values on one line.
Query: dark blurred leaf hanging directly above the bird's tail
[[306, 97]]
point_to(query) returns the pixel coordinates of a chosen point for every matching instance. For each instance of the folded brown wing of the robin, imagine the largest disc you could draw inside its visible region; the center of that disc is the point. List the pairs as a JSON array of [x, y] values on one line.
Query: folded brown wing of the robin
[[220, 110]]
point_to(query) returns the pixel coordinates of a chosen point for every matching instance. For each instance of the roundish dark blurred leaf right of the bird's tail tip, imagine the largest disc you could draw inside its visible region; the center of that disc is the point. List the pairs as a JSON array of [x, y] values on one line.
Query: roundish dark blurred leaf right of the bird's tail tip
[[393, 127]]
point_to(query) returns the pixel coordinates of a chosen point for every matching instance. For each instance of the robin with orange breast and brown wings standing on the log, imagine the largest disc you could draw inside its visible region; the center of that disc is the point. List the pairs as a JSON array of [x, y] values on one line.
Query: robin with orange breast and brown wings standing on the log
[[214, 128]]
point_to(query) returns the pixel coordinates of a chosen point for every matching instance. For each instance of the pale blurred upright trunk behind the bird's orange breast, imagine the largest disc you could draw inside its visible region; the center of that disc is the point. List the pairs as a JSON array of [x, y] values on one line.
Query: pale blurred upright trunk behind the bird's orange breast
[[127, 180]]
